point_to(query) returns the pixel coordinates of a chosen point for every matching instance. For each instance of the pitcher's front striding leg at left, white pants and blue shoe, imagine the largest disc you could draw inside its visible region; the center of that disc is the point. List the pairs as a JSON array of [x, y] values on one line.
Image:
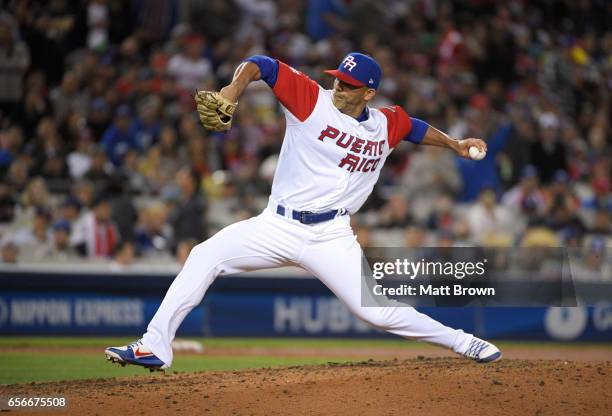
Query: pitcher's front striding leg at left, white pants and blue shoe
[[261, 242]]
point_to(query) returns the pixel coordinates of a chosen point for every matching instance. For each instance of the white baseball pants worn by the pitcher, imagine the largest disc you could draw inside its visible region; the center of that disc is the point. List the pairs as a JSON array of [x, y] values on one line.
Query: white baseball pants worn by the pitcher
[[329, 250]]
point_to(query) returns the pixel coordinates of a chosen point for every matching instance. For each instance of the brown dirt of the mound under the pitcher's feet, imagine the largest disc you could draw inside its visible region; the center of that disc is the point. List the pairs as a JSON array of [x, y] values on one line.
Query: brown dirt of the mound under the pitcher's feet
[[425, 386]]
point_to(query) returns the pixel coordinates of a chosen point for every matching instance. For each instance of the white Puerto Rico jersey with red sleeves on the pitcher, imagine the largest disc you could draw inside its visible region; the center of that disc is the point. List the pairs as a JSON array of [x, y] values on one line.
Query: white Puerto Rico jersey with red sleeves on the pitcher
[[328, 159]]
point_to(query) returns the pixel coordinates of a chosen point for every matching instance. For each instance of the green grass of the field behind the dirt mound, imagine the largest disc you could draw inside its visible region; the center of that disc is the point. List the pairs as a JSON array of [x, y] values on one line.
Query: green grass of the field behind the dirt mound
[[48, 365]]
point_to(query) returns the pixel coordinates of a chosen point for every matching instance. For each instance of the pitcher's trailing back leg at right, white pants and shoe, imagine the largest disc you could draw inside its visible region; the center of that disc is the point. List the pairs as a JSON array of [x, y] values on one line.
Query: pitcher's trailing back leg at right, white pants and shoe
[[337, 263]]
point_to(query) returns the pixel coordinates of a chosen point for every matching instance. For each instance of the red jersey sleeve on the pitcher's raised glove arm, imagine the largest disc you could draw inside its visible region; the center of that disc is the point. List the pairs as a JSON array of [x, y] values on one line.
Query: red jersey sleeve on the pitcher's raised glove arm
[[296, 91]]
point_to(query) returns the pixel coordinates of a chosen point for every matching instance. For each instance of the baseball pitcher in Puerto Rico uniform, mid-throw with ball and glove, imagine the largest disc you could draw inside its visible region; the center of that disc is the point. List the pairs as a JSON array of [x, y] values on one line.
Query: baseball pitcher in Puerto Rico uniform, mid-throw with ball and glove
[[333, 151]]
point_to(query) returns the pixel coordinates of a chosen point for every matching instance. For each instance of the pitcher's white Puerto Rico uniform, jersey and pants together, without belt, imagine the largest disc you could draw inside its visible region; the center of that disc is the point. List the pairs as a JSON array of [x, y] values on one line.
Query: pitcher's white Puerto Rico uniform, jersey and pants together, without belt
[[328, 161]]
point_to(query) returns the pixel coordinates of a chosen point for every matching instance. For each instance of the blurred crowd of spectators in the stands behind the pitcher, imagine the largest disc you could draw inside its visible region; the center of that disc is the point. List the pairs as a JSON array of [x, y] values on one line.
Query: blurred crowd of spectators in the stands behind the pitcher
[[102, 156]]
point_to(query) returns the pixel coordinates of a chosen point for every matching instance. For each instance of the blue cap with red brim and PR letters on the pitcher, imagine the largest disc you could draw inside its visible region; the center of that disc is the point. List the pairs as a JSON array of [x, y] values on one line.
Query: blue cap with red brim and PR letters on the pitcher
[[358, 70]]
